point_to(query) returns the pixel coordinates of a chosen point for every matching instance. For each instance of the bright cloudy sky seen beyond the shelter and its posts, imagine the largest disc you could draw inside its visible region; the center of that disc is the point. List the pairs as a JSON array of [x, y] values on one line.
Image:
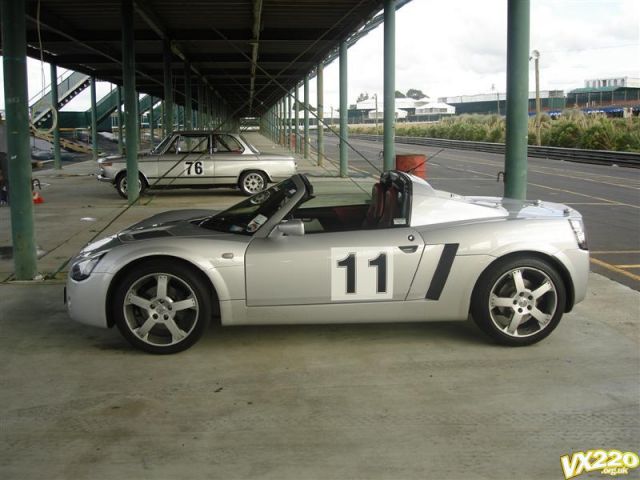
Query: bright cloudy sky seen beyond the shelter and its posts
[[458, 47]]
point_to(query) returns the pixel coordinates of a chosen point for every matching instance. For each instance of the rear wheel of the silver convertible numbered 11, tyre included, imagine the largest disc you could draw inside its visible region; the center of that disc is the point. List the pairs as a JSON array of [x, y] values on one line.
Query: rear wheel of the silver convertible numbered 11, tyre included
[[518, 301]]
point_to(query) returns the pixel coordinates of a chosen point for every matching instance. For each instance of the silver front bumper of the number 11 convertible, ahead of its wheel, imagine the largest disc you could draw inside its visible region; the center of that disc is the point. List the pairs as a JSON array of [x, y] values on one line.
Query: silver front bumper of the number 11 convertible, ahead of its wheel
[[86, 300]]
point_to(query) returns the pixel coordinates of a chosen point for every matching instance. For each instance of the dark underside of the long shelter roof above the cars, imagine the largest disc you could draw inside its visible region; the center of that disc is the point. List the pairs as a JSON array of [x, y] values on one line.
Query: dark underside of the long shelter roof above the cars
[[215, 36]]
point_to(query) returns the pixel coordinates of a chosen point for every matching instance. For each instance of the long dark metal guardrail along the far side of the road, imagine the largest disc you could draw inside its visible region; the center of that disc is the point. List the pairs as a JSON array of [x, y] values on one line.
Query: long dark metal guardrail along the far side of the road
[[599, 157]]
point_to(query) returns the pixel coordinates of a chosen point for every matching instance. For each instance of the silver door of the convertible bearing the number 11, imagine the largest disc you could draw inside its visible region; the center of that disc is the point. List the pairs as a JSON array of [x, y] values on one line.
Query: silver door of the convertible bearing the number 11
[[334, 267]]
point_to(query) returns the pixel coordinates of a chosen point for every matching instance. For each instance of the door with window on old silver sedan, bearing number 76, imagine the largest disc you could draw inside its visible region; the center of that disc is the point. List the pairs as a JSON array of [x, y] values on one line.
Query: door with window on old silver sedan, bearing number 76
[[186, 161]]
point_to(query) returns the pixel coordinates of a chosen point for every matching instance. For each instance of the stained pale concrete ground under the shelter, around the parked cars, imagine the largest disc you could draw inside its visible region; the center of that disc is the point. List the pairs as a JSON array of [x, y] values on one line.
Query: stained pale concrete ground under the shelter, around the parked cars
[[393, 401]]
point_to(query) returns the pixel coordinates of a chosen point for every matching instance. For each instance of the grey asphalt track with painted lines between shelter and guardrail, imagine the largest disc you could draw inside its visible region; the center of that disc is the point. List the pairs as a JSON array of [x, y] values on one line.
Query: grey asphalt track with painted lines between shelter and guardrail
[[608, 197]]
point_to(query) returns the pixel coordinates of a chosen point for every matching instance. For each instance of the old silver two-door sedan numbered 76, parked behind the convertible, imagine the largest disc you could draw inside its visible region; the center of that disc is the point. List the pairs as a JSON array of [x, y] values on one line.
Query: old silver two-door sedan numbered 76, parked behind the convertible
[[200, 159]]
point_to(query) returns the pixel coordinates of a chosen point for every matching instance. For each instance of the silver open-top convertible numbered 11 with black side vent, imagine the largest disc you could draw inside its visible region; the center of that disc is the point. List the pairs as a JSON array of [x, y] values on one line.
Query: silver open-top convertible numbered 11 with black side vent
[[413, 254]]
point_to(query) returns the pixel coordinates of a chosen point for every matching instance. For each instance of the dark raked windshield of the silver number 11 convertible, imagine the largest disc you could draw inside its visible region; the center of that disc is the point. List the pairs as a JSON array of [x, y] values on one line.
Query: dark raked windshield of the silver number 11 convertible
[[249, 215]]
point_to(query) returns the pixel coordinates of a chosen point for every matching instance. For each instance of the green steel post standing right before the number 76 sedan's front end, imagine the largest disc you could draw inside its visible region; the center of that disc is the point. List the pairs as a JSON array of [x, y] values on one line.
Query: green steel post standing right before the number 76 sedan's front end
[[130, 100]]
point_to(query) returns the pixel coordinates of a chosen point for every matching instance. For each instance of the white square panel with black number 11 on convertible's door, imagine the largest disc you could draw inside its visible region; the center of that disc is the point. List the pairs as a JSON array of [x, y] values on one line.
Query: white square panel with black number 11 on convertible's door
[[361, 273]]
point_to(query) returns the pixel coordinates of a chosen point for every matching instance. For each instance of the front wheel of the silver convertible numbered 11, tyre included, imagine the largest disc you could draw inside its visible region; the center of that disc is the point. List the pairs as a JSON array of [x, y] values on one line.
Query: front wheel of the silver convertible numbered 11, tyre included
[[162, 307]]
